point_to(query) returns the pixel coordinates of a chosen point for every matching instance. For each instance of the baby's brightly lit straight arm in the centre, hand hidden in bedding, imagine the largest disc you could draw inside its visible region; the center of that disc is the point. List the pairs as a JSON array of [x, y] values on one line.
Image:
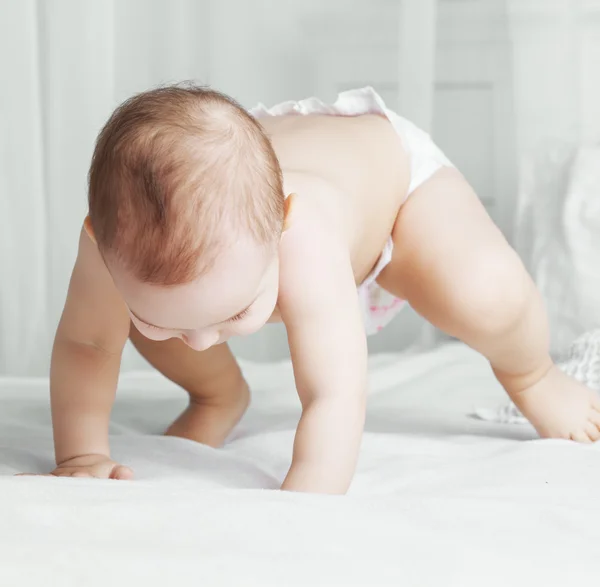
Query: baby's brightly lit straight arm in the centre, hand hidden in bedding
[[319, 306]]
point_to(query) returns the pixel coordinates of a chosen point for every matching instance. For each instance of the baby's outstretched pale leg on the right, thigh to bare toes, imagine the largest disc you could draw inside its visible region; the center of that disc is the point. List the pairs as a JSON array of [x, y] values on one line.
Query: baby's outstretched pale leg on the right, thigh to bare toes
[[456, 269]]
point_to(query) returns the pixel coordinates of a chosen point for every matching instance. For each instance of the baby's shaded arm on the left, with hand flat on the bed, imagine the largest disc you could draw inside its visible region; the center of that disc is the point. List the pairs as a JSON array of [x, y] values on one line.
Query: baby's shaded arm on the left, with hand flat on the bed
[[85, 366]]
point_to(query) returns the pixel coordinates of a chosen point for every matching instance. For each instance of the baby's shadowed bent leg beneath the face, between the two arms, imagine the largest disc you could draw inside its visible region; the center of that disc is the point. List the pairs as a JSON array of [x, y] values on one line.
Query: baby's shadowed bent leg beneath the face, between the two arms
[[218, 392]]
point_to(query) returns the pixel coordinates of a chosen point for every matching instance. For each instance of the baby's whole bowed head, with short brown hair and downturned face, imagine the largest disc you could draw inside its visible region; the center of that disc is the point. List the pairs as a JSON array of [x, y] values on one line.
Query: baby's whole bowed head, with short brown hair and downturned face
[[186, 205]]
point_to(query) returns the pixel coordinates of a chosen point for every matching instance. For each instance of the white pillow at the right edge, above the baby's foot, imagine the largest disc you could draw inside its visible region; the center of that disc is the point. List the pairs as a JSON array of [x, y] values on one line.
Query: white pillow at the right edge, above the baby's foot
[[557, 234]]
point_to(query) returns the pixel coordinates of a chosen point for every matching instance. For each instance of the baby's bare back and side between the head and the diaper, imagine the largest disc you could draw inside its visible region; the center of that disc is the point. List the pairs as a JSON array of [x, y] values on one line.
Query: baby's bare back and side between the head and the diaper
[[355, 167]]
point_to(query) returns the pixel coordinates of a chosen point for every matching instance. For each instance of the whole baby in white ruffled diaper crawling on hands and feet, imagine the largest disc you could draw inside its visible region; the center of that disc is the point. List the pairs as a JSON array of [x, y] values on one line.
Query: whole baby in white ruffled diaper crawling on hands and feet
[[207, 221]]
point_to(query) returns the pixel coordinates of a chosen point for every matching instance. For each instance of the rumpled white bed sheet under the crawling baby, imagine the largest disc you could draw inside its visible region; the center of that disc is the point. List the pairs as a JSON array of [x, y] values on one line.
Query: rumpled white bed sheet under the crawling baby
[[438, 499]]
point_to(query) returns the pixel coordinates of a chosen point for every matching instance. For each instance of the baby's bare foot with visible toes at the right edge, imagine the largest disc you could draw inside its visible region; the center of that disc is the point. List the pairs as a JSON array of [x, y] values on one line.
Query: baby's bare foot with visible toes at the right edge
[[561, 407]]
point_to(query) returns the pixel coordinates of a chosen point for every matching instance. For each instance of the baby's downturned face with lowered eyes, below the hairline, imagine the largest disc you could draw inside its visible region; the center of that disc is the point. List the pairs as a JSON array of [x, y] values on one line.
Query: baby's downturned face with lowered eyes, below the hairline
[[235, 298]]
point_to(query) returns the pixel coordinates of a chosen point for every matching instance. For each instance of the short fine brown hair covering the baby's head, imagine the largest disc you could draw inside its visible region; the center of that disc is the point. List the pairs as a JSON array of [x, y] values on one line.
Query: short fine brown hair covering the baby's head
[[177, 173]]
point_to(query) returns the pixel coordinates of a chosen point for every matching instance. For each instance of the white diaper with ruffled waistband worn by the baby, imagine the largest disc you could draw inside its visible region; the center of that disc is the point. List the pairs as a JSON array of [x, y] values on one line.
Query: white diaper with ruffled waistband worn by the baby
[[379, 306]]
